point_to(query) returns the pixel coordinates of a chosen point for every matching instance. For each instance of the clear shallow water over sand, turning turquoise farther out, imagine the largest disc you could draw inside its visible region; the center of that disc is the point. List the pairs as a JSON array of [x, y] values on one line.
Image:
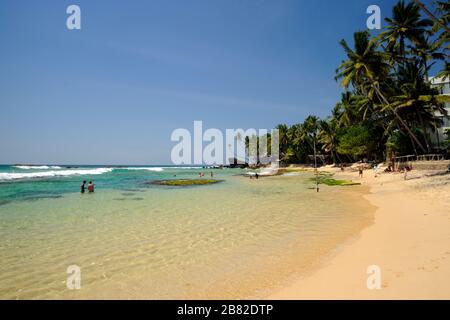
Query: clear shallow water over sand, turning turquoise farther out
[[238, 239]]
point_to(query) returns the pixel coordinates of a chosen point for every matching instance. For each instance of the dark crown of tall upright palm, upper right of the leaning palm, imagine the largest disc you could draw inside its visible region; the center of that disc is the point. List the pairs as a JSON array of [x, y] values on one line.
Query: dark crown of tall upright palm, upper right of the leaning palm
[[406, 23]]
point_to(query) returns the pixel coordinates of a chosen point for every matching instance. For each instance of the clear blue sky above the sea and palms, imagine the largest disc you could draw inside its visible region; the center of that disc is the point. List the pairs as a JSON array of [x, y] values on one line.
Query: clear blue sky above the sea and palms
[[112, 92]]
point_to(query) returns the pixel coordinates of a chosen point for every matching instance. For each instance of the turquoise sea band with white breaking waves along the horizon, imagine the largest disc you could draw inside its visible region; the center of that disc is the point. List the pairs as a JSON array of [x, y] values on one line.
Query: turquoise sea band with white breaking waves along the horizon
[[27, 183]]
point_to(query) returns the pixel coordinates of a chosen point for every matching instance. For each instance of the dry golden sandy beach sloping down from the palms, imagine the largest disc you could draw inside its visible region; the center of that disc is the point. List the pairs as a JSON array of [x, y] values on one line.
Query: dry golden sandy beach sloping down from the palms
[[409, 241]]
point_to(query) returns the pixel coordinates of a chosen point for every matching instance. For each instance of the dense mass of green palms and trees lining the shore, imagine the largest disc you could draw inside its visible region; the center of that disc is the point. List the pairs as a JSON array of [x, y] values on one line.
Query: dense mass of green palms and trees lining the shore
[[388, 106]]
